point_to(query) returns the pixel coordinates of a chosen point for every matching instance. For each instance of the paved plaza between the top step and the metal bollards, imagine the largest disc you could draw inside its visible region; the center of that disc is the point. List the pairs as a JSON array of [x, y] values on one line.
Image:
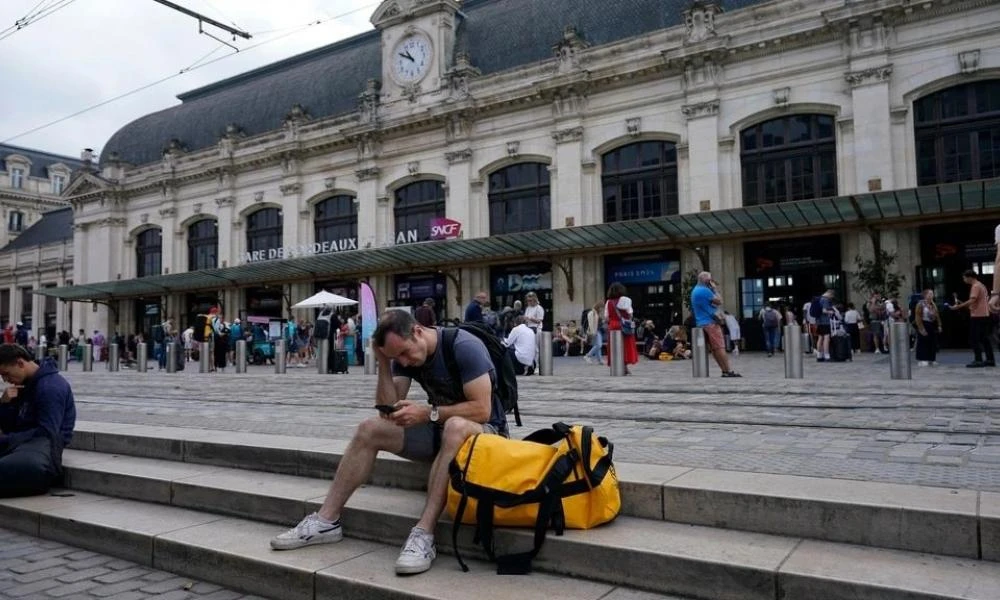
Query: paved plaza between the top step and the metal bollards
[[844, 420]]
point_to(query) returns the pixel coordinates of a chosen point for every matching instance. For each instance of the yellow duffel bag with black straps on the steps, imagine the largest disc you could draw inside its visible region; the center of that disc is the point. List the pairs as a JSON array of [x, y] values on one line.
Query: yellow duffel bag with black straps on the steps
[[561, 477]]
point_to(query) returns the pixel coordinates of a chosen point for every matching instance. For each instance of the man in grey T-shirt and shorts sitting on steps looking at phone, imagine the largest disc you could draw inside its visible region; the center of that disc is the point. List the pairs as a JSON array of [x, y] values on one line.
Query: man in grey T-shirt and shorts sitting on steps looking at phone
[[420, 432]]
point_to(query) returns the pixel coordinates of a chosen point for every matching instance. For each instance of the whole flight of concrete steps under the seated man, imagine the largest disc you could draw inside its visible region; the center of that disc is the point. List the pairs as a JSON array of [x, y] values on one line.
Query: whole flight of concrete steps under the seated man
[[205, 503]]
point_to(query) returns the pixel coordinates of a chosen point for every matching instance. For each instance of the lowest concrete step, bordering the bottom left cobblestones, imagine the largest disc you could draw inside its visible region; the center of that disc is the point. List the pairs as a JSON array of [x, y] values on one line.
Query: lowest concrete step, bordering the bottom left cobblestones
[[234, 553]]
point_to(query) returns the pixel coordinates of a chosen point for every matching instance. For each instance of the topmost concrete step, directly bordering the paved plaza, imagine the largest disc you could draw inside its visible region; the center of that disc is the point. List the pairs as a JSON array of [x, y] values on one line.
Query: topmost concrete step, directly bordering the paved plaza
[[944, 521]]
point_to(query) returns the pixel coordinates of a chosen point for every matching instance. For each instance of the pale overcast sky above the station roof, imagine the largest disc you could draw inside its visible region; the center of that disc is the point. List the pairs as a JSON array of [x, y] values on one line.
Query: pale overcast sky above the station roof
[[94, 50]]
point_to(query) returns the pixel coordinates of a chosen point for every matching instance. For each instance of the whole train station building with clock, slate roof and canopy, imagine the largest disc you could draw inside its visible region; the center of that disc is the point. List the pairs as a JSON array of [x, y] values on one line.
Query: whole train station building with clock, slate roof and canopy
[[556, 146]]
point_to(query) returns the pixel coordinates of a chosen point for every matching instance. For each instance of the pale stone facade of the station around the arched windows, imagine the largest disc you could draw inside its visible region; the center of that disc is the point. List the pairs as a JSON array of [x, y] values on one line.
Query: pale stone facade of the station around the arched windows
[[698, 85]]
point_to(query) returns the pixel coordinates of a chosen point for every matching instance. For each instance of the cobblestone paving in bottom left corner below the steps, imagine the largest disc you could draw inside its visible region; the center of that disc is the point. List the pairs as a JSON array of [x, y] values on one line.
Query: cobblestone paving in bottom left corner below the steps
[[35, 569]]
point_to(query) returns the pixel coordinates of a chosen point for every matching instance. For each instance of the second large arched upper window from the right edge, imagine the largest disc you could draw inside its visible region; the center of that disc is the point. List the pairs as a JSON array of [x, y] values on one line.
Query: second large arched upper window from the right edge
[[789, 158]]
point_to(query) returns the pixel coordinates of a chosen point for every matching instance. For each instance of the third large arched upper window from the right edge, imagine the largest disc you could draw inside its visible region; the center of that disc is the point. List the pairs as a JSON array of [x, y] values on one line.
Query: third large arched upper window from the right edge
[[639, 181]]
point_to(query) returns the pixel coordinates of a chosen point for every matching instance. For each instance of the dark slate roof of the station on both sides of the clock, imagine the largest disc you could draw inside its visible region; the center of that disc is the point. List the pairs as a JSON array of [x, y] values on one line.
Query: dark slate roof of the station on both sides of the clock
[[497, 34]]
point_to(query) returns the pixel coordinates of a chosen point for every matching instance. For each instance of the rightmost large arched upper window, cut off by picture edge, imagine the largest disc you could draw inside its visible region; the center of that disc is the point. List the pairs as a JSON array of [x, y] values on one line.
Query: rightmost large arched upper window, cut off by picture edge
[[958, 133]]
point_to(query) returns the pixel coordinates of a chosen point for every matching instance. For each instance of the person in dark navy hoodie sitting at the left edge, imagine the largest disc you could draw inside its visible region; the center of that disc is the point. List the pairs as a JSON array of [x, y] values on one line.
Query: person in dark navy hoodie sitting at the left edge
[[37, 416]]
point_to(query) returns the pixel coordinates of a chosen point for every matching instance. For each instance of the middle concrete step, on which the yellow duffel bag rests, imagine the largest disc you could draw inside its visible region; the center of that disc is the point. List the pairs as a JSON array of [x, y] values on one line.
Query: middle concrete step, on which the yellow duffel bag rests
[[657, 556]]
